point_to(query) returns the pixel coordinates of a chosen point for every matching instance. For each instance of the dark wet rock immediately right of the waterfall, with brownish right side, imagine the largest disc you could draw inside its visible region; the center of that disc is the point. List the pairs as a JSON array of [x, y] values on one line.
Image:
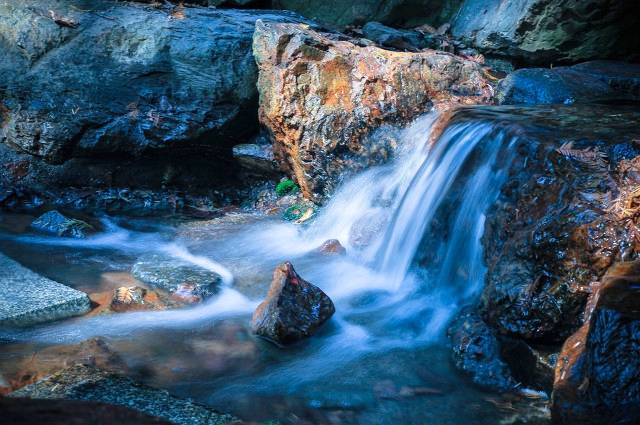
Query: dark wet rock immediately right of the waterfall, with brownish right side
[[560, 220]]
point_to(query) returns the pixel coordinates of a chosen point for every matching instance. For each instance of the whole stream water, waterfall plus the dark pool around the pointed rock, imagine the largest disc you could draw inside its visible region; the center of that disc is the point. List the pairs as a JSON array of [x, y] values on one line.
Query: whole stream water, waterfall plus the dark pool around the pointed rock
[[412, 229]]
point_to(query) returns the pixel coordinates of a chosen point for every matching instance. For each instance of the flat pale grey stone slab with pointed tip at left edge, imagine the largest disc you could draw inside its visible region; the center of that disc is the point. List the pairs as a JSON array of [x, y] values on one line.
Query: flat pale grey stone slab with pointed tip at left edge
[[26, 298]]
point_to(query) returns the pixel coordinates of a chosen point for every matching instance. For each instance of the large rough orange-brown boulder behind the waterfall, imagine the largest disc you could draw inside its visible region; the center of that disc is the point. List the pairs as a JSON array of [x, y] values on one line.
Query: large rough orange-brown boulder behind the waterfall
[[321, 95]]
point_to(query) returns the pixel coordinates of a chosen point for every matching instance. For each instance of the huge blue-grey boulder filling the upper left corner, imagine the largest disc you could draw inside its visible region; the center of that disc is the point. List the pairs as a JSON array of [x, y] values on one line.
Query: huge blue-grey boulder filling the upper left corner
[[128, 80]]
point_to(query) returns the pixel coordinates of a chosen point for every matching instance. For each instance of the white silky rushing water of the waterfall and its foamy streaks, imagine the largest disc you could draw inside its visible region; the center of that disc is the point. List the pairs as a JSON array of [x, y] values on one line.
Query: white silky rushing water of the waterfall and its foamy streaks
[[412, 229]]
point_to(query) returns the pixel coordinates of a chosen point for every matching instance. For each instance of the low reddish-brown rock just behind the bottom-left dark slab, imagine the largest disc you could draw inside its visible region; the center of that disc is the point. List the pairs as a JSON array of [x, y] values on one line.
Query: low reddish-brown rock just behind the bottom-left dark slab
[[94, 352]]
